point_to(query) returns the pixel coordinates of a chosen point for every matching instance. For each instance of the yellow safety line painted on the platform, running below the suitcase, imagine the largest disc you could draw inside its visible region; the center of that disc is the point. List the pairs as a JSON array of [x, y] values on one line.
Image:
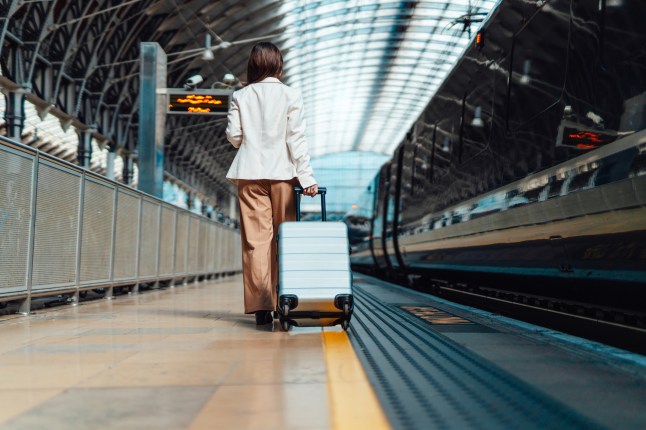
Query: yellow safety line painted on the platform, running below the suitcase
[[353, 403]]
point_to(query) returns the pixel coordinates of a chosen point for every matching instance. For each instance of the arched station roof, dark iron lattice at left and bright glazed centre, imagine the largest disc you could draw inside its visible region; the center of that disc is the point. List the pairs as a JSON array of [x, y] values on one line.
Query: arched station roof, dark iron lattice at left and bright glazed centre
[[366, 68]]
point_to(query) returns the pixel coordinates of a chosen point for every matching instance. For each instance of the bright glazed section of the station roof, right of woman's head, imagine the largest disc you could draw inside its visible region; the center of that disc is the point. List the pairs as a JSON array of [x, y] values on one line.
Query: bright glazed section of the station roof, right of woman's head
[[367, 70]]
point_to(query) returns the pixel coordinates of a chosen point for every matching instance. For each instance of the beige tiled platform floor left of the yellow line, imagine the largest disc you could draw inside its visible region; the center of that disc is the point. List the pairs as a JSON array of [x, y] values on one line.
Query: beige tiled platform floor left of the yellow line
[[184, 357]]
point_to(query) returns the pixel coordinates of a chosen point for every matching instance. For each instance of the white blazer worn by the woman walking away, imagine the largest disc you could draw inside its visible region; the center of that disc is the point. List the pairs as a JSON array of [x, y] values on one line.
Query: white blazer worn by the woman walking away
[[266, 123]]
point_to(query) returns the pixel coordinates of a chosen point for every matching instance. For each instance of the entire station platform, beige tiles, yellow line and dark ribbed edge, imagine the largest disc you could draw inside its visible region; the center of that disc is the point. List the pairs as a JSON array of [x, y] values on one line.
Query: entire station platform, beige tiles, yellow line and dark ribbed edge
[[187, 357]]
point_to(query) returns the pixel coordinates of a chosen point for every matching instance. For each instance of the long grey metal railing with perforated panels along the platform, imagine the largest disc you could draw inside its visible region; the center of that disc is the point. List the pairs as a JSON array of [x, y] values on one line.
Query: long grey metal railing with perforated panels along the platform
[[64, 229]]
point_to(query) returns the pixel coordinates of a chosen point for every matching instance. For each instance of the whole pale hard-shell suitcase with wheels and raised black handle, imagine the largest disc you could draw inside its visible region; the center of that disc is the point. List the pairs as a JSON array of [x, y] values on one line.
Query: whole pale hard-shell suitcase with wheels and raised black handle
[[314, 280]]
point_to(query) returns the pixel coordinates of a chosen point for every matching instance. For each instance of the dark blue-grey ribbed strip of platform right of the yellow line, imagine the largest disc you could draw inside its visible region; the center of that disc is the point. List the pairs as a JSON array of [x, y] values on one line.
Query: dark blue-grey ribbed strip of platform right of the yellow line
[[425, 380]]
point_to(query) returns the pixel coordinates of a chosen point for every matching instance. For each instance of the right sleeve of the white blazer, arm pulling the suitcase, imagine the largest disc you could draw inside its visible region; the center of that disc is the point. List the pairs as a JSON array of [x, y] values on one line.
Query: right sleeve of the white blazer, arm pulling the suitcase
[[297, 143]]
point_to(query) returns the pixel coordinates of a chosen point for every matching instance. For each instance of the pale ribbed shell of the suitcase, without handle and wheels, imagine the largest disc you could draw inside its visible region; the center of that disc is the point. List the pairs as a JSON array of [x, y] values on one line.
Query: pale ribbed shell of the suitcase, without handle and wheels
[[314, 265]]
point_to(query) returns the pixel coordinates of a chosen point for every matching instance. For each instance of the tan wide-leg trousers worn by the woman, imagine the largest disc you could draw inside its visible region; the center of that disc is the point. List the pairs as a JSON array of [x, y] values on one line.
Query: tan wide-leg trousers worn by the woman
[[264, 204]]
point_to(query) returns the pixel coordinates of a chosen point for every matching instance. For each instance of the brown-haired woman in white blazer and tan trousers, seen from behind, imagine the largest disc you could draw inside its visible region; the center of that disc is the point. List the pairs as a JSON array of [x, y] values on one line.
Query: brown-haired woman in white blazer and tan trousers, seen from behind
[[266, 124]]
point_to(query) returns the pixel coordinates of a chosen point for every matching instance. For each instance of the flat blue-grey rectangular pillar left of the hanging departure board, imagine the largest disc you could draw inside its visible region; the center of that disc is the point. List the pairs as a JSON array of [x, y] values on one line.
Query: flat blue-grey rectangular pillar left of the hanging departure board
[[152, 118]]
